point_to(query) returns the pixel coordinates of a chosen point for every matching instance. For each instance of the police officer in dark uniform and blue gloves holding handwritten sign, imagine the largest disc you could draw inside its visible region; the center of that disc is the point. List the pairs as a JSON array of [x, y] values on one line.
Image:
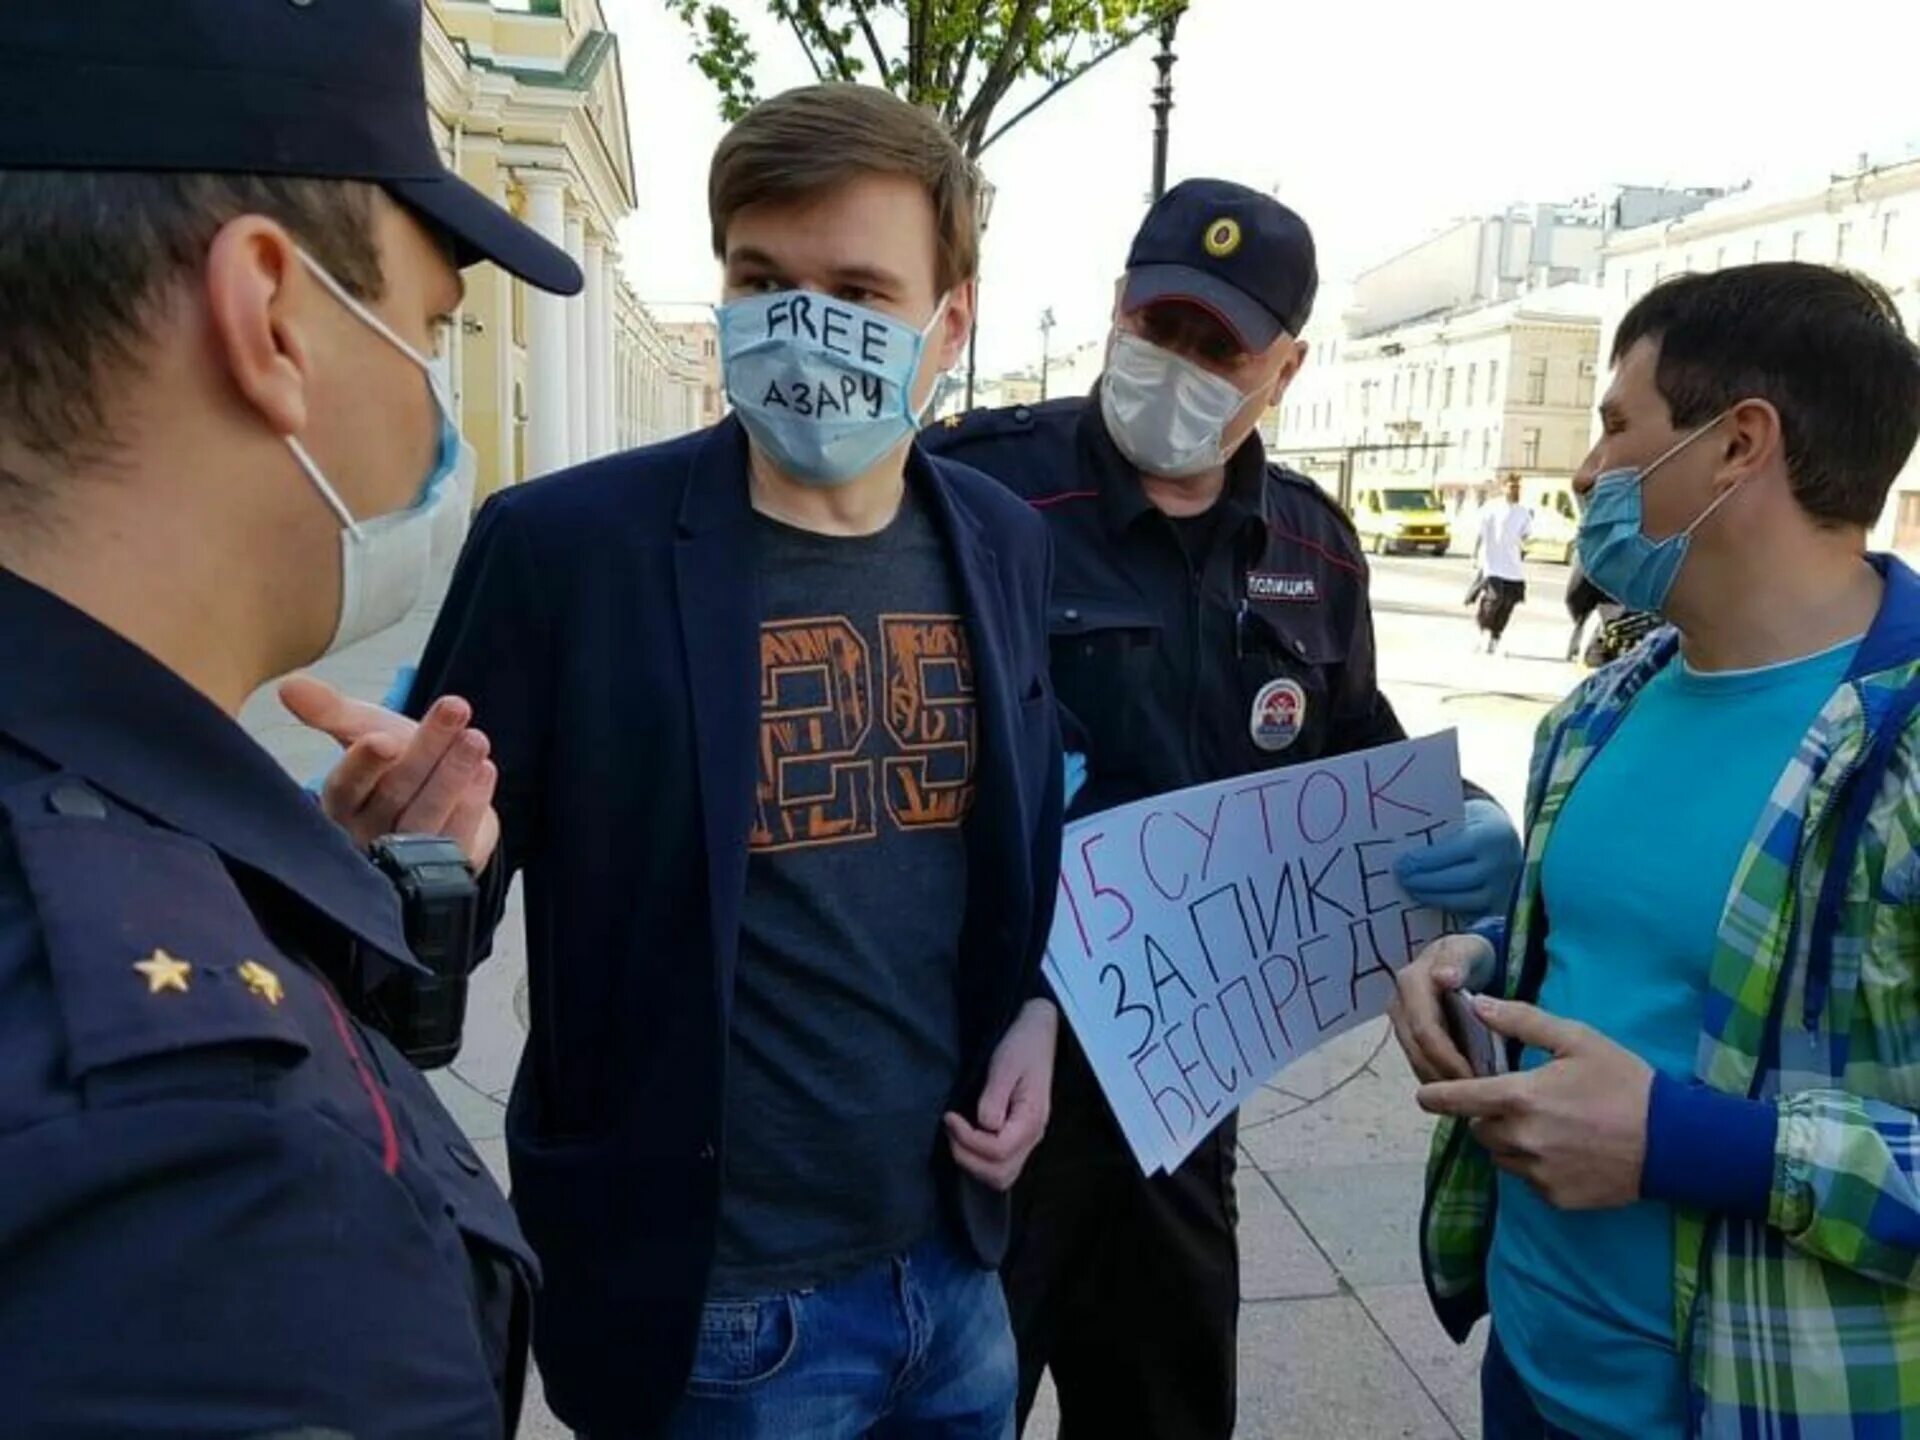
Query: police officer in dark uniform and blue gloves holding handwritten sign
[[1209, 619]]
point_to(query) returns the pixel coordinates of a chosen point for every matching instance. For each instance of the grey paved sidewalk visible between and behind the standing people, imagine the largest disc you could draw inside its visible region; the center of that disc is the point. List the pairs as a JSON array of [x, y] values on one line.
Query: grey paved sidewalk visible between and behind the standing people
[[1335, 1339]]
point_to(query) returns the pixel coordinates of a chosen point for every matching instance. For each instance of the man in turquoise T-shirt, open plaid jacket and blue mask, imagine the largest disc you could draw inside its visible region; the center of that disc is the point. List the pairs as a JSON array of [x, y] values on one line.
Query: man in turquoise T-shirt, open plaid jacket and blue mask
[[1754, 429]]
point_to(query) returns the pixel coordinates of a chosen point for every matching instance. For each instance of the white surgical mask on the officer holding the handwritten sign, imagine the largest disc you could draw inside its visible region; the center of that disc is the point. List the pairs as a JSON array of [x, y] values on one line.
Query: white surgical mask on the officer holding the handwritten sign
[[1166, 414]]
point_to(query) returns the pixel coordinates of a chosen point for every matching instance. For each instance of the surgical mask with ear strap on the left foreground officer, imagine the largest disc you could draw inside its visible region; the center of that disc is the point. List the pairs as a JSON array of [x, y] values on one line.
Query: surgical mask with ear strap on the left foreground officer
[[389, 564]]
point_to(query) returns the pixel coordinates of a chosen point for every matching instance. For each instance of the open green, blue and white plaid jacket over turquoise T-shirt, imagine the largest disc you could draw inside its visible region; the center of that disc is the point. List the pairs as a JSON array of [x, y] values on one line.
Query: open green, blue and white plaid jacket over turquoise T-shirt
[[1806, 1326]]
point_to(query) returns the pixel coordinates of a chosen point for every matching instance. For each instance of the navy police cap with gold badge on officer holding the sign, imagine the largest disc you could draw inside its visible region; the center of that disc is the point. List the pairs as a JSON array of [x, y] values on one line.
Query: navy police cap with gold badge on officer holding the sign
[[1236, 252]]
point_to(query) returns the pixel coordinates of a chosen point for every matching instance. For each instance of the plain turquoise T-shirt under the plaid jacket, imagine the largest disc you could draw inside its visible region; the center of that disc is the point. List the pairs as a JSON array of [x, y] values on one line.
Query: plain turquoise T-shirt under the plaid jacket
[[1637, 888]]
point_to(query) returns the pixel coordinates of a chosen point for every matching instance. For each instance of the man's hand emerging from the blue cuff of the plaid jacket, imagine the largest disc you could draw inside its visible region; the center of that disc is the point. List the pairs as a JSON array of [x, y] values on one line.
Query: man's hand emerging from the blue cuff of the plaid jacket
[[1575, 1128]]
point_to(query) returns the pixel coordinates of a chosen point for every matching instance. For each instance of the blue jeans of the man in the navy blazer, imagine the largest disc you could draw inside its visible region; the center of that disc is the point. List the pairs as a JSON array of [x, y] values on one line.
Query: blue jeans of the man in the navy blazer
[[913, 1347]]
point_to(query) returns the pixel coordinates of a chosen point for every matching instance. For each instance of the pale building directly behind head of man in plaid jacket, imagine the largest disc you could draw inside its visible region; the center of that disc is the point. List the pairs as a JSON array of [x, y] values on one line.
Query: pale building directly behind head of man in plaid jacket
[[1867, 220]]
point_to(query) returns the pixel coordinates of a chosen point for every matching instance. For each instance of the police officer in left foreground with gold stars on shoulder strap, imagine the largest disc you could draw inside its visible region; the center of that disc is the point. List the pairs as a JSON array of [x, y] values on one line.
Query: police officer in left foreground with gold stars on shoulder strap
[[228, 1205]]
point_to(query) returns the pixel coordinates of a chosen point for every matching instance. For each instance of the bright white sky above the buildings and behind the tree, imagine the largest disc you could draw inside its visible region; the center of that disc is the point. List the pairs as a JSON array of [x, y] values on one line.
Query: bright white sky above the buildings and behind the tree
[[1378, 120]]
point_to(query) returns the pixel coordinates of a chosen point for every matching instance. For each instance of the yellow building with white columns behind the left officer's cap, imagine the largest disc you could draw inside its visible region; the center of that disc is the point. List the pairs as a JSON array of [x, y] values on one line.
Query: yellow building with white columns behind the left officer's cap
[[529, 107]]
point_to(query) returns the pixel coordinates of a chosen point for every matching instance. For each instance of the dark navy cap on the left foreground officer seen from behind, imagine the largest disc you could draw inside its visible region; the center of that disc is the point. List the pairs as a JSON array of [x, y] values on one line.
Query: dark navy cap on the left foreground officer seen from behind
[[320, 89]]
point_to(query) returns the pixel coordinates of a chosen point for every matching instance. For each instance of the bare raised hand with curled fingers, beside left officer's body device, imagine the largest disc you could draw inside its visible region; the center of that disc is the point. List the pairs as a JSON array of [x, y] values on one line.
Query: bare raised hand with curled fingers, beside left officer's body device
[[398, 777]]
